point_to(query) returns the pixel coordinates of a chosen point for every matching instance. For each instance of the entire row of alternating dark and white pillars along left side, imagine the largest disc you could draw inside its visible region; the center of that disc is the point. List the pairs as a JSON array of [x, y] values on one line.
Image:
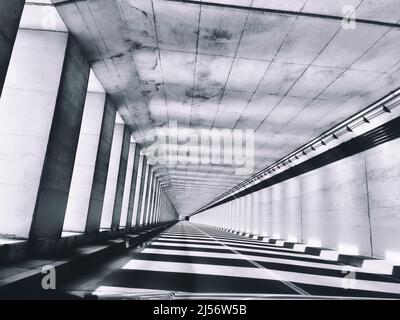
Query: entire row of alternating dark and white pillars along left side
[[66, 164]]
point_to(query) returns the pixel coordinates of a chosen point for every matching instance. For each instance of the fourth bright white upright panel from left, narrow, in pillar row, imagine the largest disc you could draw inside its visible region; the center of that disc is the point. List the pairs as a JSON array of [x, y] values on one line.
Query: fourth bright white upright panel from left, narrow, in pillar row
[[130, 185]]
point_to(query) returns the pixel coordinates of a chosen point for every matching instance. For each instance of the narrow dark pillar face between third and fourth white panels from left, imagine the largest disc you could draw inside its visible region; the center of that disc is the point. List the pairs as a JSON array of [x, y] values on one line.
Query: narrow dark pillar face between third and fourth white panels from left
[[121, 179]]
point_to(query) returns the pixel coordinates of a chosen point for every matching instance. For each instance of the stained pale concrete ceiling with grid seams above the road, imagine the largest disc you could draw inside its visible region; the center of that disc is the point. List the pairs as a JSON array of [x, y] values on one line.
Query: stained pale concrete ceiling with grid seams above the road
[[287, 75]]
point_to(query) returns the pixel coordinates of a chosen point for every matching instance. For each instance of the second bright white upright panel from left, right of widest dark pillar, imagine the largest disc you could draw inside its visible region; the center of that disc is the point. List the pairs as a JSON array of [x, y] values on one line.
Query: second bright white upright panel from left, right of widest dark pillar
[[85, 161]]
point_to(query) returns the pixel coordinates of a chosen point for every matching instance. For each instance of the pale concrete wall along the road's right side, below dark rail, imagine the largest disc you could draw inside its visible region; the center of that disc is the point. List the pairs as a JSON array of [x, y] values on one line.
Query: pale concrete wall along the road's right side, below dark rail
[[352, 205]]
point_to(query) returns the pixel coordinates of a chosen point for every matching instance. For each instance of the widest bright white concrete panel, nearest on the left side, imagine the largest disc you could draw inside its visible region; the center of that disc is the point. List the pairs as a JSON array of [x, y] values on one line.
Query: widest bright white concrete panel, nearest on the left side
[[25, 134]]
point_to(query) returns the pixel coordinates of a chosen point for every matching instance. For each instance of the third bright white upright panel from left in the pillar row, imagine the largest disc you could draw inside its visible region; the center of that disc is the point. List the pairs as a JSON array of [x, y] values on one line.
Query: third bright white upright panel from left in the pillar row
[[112, 177]]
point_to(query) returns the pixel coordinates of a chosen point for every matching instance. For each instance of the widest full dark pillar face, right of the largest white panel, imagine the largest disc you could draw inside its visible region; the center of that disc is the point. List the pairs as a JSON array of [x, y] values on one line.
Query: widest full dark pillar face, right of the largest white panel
[[58, 167]]
